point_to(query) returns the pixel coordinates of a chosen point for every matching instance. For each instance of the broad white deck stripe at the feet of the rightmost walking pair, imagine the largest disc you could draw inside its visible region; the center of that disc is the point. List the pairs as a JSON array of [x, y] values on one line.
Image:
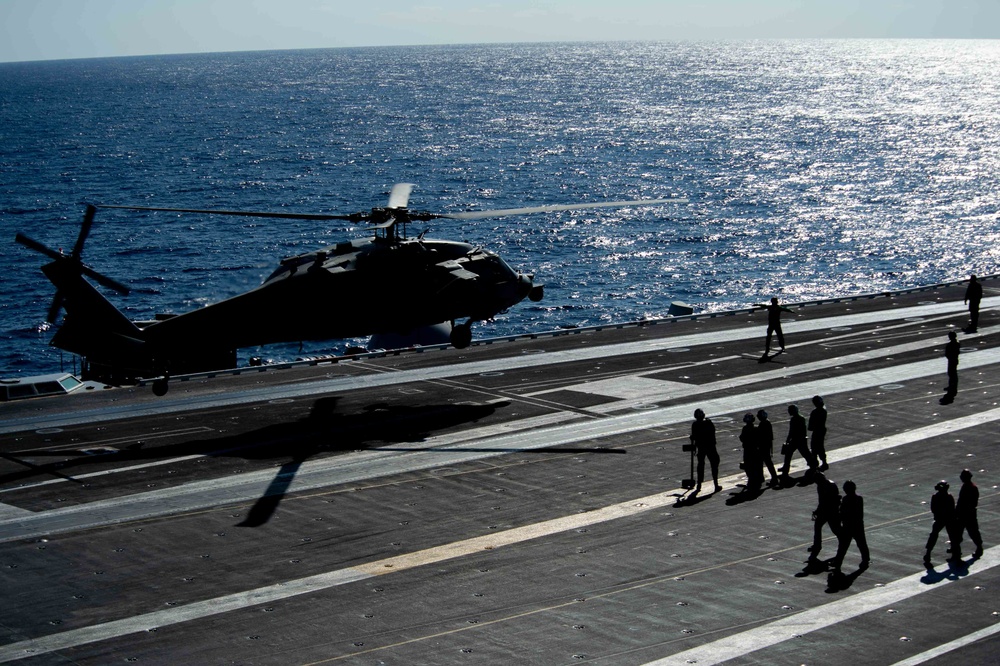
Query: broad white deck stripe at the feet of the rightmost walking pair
[[820, 617]]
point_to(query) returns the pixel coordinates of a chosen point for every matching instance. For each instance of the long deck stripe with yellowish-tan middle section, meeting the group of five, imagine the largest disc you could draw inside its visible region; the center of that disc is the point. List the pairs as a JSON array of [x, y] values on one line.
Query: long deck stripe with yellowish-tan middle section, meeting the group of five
[[480, 545]]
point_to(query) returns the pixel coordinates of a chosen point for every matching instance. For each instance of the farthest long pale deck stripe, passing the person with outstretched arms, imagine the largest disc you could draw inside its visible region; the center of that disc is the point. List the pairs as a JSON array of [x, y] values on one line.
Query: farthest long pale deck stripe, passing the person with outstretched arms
[[311, 388]]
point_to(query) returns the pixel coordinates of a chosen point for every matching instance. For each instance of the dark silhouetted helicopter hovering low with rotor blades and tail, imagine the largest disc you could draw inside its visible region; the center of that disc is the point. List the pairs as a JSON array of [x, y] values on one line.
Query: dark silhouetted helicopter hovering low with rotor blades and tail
[[389, 283]]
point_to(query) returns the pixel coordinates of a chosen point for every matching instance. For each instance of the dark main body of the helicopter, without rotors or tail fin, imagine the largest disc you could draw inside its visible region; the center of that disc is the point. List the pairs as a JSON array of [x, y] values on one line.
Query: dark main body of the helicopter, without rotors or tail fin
[[351, 289]]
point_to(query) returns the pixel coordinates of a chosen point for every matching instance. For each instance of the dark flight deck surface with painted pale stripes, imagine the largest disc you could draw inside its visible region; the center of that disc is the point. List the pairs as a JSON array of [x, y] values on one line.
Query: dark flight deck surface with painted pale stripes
[[498, 508]]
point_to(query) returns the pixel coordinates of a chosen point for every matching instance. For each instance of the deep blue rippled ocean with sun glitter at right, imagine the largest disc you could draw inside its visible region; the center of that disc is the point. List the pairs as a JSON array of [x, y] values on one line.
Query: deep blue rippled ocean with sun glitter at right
[[812, 169]]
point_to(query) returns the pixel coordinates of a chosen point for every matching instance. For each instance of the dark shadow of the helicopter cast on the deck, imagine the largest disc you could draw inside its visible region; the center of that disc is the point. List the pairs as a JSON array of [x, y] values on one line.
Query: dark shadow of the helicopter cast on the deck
[[324, 430]]
